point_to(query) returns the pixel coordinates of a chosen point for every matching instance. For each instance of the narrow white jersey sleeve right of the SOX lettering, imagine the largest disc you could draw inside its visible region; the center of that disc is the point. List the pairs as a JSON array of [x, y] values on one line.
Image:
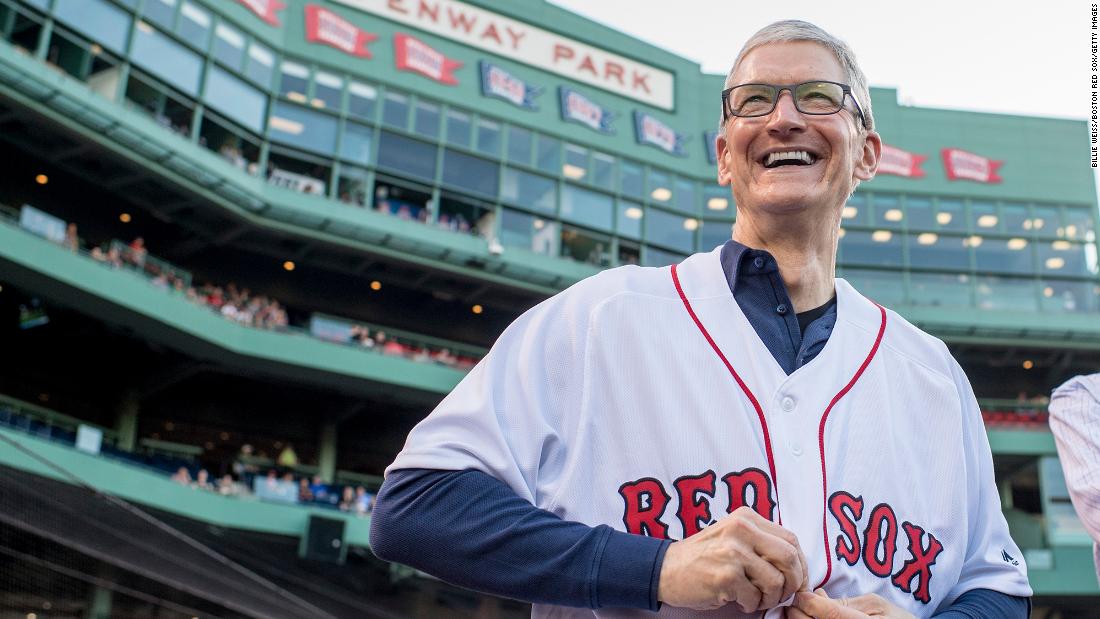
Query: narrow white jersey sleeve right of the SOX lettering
[[993, 559]]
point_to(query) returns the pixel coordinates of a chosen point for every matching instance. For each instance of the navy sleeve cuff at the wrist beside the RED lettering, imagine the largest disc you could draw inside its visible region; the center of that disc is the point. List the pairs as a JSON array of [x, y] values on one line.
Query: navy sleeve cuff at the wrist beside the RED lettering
[[629, 571]]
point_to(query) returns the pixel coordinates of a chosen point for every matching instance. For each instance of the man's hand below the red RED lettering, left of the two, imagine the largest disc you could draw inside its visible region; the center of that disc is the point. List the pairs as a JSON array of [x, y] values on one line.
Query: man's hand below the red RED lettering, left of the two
[[744, 559]]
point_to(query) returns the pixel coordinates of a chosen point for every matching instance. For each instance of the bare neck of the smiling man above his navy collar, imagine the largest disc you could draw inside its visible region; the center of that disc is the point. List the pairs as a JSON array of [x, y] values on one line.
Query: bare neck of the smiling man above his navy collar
[[807, 258]]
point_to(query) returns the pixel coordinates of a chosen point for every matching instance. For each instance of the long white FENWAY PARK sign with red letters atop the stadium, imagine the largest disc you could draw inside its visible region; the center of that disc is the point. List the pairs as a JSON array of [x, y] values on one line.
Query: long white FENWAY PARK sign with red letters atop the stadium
[[522, 42]]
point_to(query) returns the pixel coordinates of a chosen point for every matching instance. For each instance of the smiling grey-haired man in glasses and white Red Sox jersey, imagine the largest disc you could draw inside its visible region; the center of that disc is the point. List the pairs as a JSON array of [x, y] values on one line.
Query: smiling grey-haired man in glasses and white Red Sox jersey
[[793, 435]]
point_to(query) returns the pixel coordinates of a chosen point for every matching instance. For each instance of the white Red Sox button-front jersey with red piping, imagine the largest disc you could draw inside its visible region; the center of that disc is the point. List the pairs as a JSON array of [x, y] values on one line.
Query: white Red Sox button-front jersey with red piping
[[643, 399]]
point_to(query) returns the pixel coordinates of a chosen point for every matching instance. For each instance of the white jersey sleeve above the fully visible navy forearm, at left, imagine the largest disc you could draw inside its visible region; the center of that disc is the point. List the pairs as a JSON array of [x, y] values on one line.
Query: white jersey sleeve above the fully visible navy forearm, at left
[[512, 415]]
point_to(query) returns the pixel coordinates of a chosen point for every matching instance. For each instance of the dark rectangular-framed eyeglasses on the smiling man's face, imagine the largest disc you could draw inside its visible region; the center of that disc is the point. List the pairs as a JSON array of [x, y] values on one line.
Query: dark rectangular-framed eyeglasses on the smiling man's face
[[817, 98]]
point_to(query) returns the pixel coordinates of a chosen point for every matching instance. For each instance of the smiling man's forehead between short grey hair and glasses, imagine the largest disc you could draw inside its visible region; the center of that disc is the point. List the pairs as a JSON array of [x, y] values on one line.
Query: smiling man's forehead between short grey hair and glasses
[[789, 63]]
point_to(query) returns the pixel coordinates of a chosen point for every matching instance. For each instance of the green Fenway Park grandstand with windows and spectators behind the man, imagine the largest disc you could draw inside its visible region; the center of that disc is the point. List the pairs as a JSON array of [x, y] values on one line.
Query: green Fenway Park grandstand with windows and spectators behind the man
[[247, 245]]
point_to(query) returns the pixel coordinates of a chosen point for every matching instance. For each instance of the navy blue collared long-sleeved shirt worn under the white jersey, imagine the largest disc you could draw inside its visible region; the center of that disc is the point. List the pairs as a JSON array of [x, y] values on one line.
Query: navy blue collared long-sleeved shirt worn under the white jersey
[[471, 529]]
